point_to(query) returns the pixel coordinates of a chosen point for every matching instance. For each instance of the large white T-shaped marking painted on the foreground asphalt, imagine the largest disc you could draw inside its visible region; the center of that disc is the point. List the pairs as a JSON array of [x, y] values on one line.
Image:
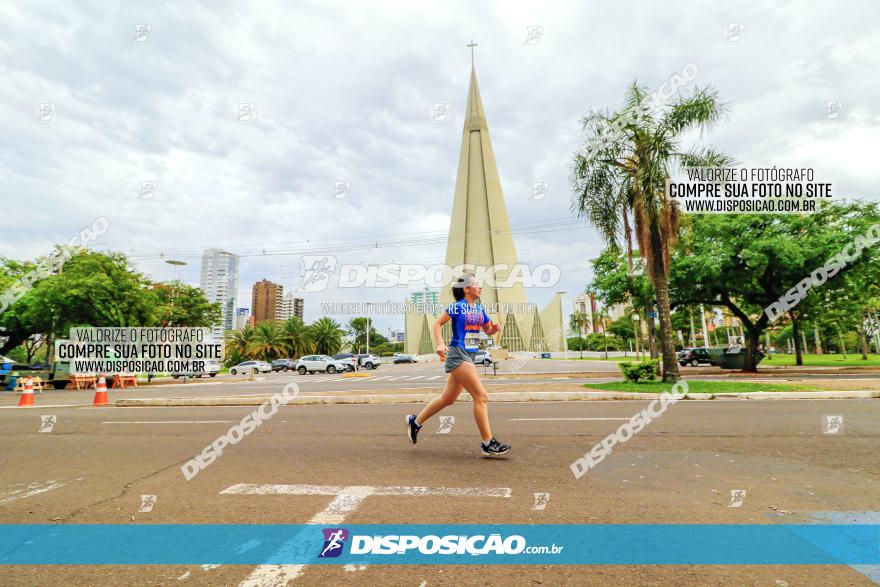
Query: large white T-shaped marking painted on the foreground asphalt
[[346, 501]]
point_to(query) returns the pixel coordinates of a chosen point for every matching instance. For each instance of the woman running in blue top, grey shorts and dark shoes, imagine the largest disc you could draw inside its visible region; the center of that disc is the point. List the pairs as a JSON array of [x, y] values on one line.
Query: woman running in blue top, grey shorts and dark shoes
[[468, 319]]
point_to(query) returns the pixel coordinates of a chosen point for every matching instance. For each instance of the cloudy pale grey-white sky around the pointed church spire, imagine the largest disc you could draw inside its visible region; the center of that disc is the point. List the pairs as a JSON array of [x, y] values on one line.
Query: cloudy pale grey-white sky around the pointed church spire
[[344, 91]]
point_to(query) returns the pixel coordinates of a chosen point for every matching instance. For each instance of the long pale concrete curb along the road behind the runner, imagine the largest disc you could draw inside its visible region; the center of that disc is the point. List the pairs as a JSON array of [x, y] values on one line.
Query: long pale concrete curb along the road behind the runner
[[500, 396]]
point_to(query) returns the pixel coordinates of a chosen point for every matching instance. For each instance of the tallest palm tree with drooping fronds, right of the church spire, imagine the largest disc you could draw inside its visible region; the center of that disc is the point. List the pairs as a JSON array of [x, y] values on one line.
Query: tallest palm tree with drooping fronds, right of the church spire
[[622, 172]]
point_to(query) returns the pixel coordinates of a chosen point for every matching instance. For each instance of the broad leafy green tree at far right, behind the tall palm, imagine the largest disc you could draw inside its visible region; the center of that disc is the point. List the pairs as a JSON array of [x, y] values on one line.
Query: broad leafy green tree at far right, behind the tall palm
[[747, 262]]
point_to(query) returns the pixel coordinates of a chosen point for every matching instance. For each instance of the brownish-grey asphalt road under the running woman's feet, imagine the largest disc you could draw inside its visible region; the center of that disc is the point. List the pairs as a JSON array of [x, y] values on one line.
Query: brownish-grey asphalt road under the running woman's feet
[[96, 463]]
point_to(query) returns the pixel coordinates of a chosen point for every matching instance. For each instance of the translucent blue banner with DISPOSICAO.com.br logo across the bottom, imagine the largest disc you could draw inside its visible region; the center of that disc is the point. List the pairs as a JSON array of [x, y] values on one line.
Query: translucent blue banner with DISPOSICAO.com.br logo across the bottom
[[631, 544]]
